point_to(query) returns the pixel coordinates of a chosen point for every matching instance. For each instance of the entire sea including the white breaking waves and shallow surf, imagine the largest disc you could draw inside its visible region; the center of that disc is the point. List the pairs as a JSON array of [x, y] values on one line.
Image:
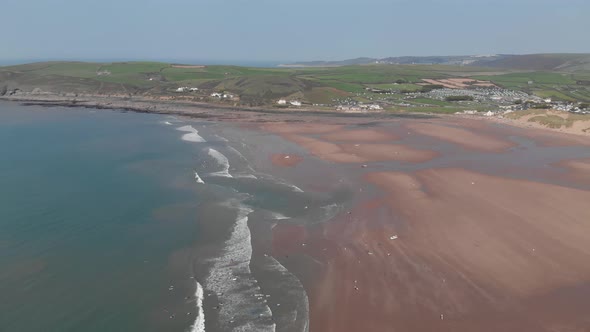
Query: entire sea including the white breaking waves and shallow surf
[[114, 221]]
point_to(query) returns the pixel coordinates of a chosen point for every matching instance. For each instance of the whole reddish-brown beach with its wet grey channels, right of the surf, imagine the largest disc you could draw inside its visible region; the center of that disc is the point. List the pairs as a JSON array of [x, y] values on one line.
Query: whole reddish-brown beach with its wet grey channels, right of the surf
[[480, 246]]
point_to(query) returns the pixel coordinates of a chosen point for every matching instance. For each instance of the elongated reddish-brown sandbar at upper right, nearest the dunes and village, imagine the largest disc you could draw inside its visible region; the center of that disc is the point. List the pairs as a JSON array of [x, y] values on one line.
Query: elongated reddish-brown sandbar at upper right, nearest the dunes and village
[[465, 137]]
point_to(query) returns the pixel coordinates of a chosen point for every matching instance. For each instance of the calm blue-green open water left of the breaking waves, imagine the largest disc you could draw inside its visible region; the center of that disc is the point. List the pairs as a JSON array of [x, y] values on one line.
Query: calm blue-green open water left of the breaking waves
[[93, 208]]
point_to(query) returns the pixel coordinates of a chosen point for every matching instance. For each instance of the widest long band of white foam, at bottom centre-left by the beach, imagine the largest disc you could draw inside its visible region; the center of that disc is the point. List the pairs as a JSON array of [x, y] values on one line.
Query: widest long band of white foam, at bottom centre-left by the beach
[[231, 279]]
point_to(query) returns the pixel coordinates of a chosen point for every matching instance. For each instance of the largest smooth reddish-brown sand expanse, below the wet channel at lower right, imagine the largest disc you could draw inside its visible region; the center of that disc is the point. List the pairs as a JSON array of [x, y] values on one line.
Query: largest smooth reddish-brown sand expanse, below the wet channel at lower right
[[475, 249]]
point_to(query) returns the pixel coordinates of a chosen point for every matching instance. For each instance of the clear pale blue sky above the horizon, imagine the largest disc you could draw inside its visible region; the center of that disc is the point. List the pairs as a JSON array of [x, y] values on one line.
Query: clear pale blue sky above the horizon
[[283, 30]]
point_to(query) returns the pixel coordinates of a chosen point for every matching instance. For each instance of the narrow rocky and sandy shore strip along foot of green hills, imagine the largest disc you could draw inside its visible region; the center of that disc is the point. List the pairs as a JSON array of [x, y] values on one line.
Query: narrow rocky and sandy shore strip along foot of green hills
[[234, 113]]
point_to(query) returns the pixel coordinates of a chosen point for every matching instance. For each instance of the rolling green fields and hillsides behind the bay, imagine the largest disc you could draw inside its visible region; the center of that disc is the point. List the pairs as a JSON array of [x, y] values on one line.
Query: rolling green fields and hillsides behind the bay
[[263, 86]]
